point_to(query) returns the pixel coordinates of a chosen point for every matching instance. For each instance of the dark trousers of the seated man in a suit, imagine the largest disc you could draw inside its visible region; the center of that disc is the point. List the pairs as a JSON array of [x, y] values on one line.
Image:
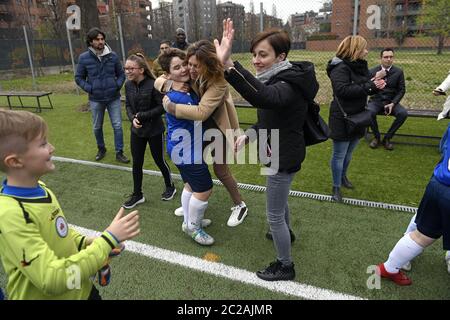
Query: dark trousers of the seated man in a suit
[[399, 112]]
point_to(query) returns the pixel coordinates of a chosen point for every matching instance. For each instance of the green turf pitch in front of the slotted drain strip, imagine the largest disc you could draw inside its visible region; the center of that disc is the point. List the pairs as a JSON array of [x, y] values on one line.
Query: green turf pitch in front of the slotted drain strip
[[335, 246]]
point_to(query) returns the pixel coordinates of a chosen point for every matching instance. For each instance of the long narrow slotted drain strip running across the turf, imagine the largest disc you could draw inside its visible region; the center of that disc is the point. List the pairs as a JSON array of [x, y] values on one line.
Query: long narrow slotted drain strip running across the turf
[[251, 187]]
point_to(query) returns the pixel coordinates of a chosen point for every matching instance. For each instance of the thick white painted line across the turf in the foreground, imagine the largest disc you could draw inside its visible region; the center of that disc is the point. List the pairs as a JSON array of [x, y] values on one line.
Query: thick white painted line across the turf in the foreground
[[232, 273]]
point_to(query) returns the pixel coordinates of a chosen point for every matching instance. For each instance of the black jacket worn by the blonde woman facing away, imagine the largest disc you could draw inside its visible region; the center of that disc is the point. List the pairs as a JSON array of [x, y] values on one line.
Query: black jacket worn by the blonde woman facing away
[[351, 84]]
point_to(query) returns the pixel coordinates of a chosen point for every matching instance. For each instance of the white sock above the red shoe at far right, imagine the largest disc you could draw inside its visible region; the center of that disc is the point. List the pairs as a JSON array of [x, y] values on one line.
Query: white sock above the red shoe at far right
[[405, 250]]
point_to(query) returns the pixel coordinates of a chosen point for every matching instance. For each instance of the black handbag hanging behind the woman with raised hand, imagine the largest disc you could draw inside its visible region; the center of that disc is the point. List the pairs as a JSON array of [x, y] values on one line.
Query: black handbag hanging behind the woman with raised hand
[[315, 129]]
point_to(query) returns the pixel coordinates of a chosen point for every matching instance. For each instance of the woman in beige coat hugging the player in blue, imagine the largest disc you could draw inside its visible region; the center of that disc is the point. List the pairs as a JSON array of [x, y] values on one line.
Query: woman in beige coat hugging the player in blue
[[216, 110]]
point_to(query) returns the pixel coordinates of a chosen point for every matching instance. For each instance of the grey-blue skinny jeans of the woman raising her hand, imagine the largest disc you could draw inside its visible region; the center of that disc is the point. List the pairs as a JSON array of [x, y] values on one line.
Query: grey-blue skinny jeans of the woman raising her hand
[[278, 187]]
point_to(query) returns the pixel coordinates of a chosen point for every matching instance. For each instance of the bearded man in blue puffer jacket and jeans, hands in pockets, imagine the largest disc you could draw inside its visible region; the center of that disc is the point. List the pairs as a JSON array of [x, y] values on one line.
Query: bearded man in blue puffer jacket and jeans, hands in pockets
[[101, 75]]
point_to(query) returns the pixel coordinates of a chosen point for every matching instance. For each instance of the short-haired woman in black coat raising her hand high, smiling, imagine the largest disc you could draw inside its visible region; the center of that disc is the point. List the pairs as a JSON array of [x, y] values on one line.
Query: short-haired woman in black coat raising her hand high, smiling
[[281, 91]]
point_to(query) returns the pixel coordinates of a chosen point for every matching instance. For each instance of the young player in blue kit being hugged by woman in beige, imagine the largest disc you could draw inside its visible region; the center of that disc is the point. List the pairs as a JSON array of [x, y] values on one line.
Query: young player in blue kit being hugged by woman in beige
[[184, 145]]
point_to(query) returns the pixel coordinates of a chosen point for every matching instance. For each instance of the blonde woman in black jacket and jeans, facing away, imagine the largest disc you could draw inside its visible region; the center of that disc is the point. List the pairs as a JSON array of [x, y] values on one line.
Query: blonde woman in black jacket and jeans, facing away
[[351, 84]]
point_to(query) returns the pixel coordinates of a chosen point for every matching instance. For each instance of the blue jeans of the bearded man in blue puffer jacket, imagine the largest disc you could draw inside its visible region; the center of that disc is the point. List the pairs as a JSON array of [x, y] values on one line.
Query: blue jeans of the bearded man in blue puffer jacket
[[115, 115]]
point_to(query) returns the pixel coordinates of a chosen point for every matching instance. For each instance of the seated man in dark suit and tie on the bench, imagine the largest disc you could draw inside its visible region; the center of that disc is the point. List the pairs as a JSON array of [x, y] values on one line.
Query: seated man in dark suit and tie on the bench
[[388, 100]]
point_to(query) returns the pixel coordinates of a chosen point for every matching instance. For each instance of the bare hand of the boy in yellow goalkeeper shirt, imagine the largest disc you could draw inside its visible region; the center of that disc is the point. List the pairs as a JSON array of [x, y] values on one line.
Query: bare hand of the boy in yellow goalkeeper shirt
[[125, 227]]
